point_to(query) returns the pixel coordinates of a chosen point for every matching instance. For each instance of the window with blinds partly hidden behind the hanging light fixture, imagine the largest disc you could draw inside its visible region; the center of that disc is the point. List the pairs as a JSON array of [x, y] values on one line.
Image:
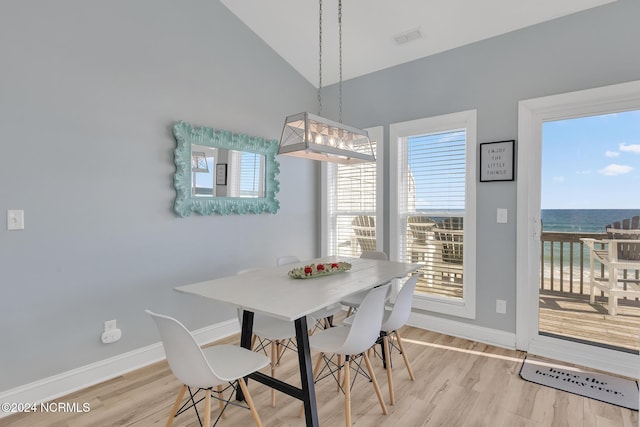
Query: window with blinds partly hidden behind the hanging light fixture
[[351, 223]]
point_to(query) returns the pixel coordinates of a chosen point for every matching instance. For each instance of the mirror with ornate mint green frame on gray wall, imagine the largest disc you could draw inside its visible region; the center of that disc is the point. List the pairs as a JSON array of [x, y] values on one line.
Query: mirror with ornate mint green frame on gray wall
[[220, 172]]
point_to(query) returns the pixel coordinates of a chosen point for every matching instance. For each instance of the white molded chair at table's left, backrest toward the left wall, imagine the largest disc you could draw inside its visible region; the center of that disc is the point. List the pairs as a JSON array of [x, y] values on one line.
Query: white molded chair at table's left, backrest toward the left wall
[[204, 369]]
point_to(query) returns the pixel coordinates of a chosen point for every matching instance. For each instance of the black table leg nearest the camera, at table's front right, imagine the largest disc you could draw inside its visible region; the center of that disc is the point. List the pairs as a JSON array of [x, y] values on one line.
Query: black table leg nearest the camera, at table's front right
[[306, 372]]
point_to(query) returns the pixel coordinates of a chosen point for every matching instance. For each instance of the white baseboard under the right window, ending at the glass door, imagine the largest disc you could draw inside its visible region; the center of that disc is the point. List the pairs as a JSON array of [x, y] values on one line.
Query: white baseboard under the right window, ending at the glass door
[[464, 330]]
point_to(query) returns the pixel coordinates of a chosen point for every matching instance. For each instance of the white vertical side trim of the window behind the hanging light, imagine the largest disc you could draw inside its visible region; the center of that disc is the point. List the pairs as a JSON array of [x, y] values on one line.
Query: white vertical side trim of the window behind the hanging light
[[375, 134]]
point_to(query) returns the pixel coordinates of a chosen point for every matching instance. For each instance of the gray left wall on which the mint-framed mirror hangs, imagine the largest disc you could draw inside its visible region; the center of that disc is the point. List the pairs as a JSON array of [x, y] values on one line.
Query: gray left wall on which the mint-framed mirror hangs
[[89, 91]]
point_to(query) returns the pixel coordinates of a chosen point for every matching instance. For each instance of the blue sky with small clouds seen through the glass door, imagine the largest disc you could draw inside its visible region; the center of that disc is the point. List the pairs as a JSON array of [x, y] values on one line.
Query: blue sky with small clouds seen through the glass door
[[592, 162]]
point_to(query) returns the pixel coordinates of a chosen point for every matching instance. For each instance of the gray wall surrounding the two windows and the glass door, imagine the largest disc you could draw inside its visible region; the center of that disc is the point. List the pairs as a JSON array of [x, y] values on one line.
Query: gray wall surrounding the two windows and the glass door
[[594, 48]]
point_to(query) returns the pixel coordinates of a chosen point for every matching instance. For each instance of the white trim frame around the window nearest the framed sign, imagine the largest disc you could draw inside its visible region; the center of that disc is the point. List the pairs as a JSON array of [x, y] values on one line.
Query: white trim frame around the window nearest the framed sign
[[466, 119]]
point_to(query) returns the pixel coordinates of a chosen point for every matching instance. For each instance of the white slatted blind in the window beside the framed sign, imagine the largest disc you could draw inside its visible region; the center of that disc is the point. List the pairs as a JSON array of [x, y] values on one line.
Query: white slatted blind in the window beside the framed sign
[[432, 207]]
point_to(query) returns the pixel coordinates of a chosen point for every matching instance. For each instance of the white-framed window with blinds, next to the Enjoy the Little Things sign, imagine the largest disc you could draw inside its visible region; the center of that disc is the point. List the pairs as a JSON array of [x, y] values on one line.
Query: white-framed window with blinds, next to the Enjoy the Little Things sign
[[433, 208]]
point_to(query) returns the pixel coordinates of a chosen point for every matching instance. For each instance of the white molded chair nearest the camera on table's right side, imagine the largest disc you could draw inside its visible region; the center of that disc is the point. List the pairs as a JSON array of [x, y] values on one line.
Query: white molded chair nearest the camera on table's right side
[[350, 343]]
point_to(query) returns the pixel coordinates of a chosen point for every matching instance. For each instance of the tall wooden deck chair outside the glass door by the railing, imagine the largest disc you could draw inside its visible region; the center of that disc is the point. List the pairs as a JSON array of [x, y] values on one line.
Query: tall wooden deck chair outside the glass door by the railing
[[619, 254]]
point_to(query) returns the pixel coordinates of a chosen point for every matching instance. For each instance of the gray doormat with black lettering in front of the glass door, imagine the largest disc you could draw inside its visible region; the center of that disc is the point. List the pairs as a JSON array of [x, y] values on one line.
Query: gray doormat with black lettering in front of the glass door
[[602, 387]]
